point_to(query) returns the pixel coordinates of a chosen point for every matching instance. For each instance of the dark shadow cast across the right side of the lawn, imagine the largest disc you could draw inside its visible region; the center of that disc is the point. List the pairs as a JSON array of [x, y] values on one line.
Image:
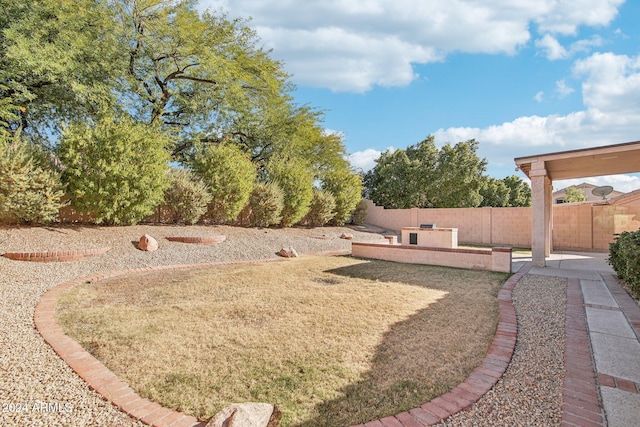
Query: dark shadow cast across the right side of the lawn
[[423, 356]]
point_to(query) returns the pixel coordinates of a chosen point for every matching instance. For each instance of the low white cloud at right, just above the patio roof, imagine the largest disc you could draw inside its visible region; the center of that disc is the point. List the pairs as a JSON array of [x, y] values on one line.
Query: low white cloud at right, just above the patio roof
[[611, 92]]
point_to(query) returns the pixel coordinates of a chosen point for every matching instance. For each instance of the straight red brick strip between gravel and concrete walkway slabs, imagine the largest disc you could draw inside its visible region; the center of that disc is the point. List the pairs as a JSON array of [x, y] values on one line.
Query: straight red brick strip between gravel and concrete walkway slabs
[[580, 396]]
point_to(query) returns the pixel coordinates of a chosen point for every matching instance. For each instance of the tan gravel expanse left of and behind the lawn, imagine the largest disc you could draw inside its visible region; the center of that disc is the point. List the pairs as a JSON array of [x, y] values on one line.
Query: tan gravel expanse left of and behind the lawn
[[36, 387]]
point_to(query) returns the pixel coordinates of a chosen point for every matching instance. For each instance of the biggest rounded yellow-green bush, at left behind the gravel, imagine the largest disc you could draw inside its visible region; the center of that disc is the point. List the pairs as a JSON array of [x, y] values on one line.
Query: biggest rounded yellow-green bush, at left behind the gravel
[[115, 169]]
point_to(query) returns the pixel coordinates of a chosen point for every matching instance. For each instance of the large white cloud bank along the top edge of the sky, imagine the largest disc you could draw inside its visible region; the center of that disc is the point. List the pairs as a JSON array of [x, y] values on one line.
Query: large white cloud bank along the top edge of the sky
[[347, 45]]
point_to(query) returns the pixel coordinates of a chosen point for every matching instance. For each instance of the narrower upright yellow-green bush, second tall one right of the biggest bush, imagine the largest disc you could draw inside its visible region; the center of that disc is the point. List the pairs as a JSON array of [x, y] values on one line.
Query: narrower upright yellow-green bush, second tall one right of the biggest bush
[[295, 178]]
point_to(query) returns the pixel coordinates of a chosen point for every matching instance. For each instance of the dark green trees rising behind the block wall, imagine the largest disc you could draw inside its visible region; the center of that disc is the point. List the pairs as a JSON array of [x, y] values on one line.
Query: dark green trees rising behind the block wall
[[423, 176]]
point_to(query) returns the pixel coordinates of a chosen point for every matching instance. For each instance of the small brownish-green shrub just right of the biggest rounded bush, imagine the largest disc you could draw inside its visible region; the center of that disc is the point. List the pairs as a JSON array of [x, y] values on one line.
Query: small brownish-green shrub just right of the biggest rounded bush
[[187, 197]]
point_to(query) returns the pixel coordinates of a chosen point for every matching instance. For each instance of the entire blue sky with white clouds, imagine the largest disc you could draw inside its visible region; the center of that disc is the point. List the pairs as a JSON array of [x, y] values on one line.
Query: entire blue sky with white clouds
[[522, 77]]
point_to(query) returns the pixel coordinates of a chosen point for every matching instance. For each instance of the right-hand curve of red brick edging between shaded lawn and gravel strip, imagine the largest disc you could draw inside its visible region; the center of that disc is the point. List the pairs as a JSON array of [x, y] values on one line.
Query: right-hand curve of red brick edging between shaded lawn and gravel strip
[[481, 380]]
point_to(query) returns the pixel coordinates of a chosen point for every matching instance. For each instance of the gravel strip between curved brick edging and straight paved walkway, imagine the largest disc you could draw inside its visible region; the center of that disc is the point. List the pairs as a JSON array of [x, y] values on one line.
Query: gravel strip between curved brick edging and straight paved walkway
[[530, 392]]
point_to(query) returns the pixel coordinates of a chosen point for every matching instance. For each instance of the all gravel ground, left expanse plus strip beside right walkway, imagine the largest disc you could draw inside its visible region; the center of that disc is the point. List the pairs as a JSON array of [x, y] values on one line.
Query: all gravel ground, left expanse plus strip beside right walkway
[[38, 389]]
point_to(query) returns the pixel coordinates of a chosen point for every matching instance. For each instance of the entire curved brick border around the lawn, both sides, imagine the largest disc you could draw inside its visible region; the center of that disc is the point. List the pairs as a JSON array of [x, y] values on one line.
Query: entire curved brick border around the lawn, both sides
[[111, 388]]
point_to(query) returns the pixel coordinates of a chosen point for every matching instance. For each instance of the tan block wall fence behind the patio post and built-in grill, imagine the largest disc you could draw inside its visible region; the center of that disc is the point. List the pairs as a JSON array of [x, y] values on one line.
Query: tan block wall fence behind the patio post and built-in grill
[[581, 226]]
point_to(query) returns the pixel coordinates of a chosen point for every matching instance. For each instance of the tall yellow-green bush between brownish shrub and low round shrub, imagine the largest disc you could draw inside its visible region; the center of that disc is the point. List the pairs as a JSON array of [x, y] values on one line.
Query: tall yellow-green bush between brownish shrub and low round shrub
[[230, 176]]
